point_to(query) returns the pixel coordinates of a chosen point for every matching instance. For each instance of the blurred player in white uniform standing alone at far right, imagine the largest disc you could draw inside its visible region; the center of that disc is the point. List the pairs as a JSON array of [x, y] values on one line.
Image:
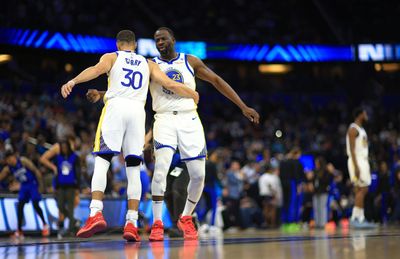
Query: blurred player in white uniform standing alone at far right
[[358, 166]]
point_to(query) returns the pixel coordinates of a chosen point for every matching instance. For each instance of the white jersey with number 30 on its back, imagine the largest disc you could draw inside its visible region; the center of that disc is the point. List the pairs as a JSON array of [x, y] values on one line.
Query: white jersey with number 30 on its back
[[129, 77]]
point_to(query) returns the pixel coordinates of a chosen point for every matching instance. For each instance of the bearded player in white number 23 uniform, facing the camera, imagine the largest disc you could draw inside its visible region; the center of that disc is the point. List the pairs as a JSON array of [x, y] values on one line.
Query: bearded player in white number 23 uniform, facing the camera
[[177, 125]]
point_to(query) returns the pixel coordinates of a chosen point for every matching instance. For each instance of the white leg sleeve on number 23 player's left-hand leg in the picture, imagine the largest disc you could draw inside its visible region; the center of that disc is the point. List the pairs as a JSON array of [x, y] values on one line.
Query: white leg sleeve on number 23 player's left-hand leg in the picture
[[162, 164]]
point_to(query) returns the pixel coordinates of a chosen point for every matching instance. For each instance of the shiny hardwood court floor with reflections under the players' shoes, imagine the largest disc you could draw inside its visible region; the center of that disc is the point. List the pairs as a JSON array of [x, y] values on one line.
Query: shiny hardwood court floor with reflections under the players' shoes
[[357, 244]]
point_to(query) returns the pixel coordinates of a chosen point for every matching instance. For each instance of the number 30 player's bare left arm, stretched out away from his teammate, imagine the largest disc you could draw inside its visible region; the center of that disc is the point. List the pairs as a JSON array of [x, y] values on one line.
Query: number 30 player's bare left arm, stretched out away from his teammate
[[103, 66]]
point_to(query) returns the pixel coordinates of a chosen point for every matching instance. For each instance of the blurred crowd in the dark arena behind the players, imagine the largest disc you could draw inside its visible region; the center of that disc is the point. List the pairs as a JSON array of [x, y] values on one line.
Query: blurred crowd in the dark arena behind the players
[[289, 169]]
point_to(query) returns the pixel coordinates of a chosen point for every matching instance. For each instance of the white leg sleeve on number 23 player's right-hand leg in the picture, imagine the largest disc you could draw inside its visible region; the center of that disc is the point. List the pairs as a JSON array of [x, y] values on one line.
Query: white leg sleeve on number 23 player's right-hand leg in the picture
[[197, 173]]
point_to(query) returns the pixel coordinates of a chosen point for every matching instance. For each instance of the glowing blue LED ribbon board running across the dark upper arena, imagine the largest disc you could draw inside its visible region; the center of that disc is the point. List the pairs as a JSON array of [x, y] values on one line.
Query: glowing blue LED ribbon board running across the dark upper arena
[[266, 53]]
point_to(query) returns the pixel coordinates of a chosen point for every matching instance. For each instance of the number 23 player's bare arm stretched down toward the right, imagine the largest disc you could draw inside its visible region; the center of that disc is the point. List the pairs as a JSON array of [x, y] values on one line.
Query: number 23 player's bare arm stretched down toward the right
[[205, 73]]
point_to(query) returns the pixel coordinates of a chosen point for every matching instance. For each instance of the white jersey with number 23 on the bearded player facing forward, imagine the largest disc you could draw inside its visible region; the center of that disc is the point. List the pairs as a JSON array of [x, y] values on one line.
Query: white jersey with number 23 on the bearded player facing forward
[[178, 69]]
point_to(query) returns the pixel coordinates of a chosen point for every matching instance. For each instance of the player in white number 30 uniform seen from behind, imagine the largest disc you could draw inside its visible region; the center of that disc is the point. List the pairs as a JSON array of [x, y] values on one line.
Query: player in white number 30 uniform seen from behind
[[122, 124]]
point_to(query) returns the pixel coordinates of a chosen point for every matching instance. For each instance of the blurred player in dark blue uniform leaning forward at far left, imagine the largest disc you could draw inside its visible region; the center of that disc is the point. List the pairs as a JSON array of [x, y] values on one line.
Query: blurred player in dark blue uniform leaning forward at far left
[[31, 182]]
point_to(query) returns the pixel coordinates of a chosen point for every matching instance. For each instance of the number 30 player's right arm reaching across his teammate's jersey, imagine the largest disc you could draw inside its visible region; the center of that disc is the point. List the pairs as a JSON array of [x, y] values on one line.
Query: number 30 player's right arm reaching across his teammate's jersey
[[180, 89]]
